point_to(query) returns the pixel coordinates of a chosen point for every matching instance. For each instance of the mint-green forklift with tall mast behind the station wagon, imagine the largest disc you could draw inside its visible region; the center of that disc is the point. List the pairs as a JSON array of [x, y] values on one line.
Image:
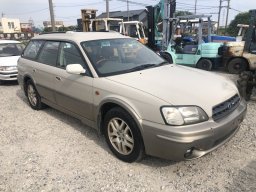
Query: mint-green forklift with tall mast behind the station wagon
[[196, 53]]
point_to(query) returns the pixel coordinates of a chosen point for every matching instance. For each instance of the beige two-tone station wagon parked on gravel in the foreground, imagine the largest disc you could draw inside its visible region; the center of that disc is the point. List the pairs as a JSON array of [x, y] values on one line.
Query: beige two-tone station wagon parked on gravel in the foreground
[[141, 103]]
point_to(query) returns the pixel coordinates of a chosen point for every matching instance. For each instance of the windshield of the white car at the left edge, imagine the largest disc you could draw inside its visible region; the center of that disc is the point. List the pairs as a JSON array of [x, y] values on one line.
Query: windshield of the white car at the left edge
[[11, 49]]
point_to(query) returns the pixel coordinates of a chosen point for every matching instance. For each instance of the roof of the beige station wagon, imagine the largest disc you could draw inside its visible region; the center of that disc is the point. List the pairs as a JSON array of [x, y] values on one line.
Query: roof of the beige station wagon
[[80, 36]]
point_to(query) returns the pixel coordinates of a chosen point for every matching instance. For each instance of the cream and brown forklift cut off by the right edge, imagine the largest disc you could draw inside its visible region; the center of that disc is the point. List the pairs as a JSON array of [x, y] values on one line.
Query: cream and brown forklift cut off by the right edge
[[241, 56]]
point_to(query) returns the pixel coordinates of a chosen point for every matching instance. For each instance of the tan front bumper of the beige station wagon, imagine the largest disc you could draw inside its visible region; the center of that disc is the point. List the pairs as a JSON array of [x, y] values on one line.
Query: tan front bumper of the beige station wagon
[[192, 141]]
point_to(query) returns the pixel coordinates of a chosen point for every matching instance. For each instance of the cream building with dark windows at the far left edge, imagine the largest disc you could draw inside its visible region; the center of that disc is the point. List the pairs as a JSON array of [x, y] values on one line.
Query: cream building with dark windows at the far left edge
[[8, 25]]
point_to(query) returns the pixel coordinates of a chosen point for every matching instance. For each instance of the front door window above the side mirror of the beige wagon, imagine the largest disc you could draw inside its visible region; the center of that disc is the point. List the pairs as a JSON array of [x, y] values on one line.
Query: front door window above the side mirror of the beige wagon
[[69, 54]]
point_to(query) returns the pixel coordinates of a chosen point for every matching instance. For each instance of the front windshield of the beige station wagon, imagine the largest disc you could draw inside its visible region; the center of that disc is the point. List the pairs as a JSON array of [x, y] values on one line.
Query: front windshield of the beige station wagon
[[117, 56]]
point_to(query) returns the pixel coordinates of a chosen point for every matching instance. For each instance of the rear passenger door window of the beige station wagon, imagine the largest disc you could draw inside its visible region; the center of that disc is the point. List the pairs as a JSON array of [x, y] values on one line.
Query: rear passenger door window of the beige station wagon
[[49, 53]]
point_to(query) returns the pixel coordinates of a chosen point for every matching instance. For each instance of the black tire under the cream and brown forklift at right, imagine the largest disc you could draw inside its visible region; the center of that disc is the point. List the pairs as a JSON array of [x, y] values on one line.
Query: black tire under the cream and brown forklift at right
[[236, 66]]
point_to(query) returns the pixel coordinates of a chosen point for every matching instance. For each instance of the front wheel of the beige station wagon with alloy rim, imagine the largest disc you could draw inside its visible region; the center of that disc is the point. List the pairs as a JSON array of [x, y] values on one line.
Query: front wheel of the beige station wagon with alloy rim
[[122, 135]]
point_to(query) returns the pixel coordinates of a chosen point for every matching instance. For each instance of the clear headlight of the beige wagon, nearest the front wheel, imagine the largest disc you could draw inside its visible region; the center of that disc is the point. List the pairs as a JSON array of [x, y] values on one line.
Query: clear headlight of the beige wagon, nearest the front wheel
[[183, 115]]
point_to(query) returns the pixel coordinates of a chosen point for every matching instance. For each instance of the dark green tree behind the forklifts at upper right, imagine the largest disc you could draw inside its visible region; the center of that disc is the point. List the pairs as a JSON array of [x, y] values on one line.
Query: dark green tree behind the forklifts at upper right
[[241, 18]]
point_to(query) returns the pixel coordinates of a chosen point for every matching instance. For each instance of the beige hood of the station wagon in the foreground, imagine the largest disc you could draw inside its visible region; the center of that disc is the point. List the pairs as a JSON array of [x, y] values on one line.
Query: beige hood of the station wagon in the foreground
[[179, 85]]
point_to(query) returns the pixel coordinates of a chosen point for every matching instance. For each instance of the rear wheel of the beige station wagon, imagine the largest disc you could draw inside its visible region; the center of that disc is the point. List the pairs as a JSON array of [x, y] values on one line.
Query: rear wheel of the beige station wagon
[[33, 96]]
